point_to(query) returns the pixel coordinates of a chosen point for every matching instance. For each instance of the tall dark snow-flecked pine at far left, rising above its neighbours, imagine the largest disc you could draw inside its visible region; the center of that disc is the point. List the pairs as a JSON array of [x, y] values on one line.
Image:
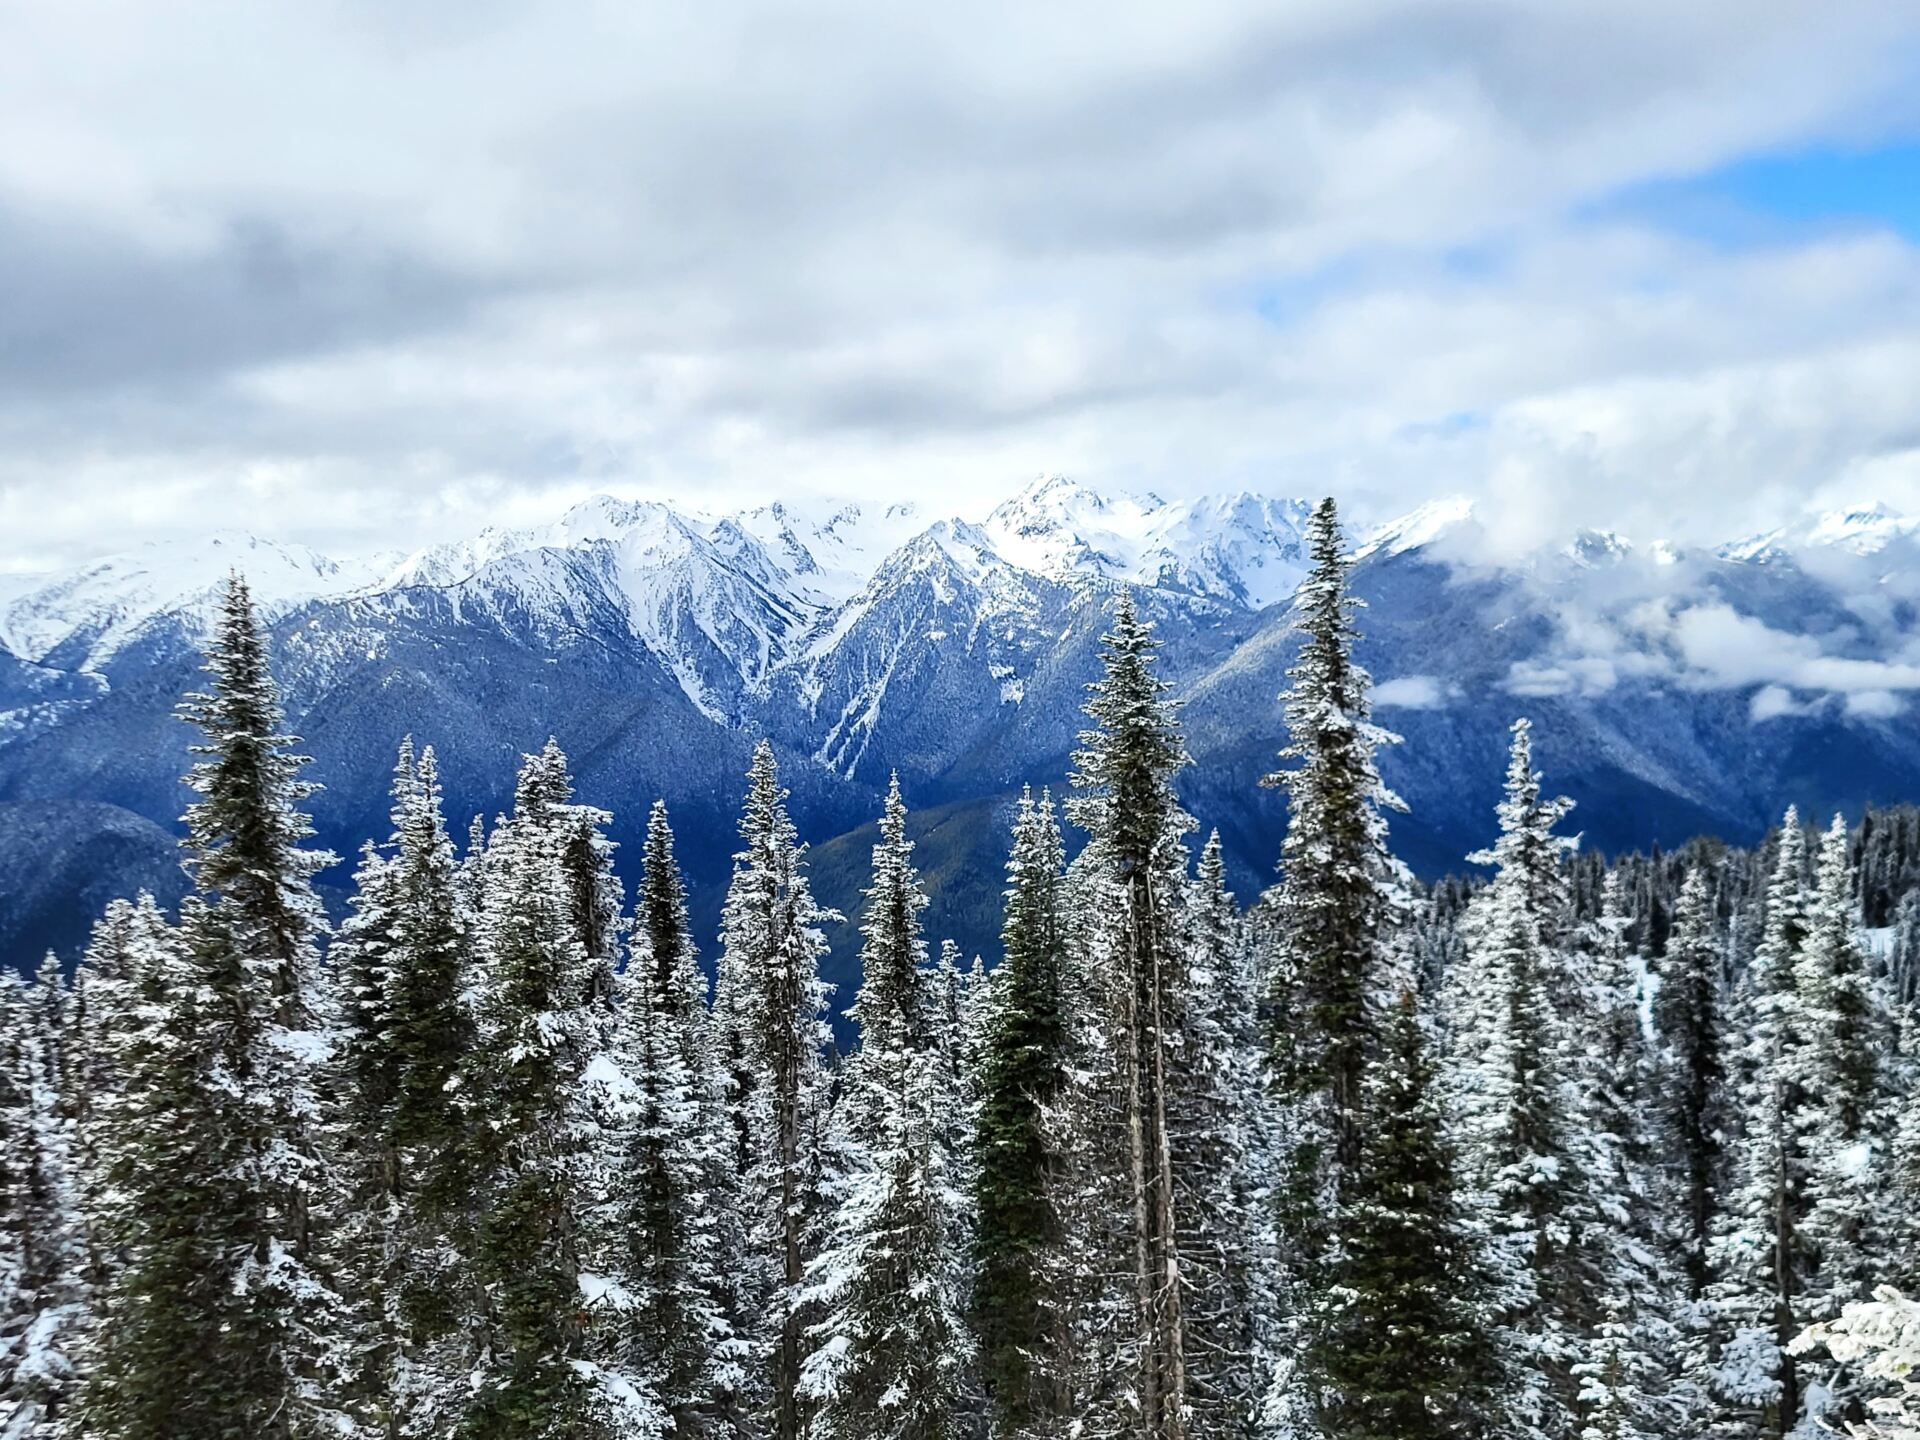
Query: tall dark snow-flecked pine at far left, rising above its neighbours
[[224, 1320]]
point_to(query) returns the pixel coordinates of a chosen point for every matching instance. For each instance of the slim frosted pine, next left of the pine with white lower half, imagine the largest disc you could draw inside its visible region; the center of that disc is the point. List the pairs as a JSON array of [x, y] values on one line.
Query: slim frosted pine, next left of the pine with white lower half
[[771, 1007]]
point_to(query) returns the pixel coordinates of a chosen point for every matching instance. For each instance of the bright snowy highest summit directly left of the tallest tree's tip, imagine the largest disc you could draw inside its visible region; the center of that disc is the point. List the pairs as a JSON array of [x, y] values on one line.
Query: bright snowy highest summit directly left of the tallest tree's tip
[[1239, 550]]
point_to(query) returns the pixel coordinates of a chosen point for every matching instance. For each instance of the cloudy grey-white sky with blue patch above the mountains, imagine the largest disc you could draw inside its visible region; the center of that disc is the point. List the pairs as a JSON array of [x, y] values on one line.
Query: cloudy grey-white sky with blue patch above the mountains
[[368, 274]]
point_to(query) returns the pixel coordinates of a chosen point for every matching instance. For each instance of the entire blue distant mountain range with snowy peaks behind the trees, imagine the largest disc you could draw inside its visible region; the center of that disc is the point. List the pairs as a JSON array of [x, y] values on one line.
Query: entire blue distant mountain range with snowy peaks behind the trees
[[1675, 690]]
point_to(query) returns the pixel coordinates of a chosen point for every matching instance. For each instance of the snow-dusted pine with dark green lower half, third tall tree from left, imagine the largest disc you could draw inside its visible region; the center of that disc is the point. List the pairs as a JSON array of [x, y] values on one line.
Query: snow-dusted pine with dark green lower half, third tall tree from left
[[540, 1040]]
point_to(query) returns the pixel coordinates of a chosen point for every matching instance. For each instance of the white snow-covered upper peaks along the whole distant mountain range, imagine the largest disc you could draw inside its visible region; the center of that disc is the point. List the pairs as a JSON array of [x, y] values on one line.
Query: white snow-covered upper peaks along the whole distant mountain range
[[732, 602]]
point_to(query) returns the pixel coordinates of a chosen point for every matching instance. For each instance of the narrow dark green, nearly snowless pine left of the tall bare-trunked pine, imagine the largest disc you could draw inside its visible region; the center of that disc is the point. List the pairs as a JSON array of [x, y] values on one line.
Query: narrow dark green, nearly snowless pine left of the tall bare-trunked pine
[[1022, 1072]]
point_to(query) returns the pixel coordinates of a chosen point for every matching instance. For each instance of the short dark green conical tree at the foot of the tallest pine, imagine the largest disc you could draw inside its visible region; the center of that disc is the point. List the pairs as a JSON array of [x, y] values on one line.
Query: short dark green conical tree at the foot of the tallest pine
[[1397, 1343]]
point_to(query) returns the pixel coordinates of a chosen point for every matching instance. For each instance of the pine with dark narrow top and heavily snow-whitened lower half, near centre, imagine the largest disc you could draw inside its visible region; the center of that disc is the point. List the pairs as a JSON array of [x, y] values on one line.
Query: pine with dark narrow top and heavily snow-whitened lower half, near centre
[[892, 1341]]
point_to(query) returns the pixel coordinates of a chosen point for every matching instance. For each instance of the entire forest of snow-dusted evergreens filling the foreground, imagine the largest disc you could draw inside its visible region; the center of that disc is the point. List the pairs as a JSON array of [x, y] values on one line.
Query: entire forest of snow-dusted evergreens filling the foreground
[[1573, 1153]]
